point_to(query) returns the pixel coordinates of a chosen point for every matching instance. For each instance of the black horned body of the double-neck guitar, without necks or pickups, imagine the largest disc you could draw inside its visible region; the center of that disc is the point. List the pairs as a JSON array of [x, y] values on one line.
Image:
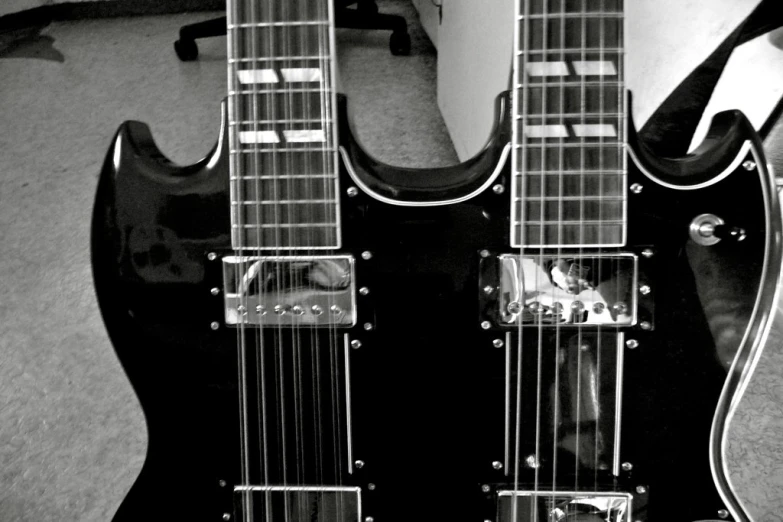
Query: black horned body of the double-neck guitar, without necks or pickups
[[432, 413]]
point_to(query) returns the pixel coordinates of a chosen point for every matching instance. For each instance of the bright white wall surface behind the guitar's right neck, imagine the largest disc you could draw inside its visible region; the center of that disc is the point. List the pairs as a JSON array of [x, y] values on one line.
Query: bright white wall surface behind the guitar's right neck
[[665, 40]]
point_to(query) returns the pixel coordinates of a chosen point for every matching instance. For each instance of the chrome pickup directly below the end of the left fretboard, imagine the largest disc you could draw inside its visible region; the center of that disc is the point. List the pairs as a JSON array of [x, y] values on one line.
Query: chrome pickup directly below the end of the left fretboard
[[289, 290]]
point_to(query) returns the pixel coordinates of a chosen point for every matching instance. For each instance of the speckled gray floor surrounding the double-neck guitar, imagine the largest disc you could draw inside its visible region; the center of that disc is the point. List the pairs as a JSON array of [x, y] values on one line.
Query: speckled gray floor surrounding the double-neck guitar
[[72, 435]]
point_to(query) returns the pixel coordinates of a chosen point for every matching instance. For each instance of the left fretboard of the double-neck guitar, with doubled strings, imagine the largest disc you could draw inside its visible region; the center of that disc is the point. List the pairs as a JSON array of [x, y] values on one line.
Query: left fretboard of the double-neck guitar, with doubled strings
[[282, 133]]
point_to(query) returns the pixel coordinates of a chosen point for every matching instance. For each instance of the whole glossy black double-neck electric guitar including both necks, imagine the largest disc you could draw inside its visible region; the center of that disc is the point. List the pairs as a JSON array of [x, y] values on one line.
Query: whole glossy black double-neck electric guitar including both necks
[[315, 336]]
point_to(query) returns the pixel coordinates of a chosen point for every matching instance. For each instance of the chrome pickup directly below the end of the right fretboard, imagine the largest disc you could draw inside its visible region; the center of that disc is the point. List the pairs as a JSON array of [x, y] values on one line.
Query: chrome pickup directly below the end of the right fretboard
[[561, 289]]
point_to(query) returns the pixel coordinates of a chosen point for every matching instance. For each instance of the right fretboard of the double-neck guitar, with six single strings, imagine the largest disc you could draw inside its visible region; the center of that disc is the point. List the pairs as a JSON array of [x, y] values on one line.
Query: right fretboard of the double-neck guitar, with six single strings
[[570, 124]]
